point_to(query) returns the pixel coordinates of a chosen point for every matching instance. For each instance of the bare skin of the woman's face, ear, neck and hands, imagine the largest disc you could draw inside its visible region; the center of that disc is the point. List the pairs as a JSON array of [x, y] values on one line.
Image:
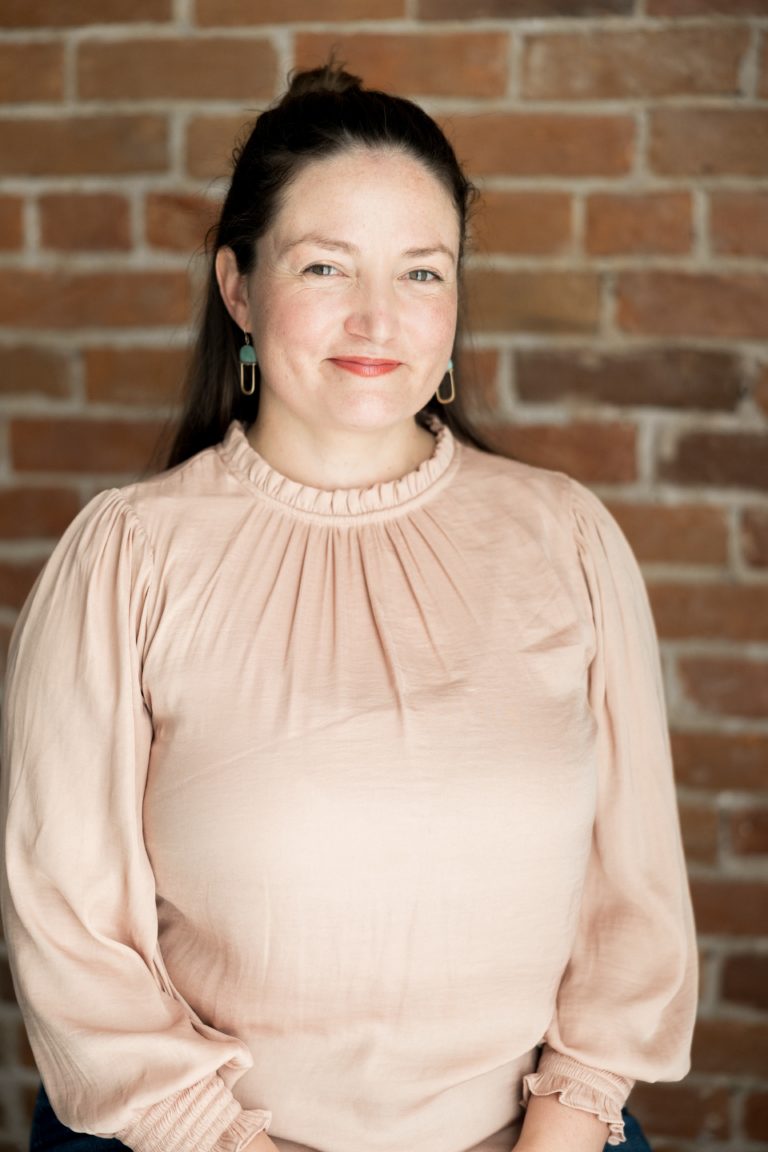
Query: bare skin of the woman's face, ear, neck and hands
[[352, 307]]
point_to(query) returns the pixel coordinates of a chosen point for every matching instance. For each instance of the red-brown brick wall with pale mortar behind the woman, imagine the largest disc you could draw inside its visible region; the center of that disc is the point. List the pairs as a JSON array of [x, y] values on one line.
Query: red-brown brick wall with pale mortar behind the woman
[[620, 308]]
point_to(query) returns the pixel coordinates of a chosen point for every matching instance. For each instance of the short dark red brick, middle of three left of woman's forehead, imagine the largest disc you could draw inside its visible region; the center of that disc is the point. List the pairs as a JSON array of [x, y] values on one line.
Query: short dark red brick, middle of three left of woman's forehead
[[81, 222]]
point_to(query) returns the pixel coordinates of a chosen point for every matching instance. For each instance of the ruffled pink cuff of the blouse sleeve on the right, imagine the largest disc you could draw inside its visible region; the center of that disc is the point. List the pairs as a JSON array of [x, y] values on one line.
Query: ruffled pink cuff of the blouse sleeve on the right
[[579, 1087]]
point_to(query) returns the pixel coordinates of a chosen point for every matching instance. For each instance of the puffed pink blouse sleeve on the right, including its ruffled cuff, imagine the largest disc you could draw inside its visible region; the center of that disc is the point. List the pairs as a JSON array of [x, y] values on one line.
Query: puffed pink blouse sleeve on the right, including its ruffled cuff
[[627, 1002]]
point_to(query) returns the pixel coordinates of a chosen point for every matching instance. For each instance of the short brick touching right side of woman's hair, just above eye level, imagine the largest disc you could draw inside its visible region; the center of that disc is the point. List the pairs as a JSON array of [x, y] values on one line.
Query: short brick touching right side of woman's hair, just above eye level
[[522, 223]]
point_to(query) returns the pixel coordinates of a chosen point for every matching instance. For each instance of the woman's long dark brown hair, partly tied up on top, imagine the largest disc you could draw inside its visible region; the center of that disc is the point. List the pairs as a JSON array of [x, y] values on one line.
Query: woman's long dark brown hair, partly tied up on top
[[325, 111]]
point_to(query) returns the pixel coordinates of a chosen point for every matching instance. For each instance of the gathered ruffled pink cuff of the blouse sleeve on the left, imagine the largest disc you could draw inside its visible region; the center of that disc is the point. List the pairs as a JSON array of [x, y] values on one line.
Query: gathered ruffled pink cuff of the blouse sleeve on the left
[[206, 1118]]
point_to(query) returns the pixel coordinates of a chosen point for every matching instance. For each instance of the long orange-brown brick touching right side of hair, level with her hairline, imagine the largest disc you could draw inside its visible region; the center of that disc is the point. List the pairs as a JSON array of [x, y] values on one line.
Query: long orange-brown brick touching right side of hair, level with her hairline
[[544, 145]]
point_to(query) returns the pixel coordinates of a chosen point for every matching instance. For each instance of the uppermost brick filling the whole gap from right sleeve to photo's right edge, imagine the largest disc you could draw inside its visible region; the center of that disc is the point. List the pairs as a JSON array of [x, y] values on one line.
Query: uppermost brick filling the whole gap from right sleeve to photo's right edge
[[734, 612]]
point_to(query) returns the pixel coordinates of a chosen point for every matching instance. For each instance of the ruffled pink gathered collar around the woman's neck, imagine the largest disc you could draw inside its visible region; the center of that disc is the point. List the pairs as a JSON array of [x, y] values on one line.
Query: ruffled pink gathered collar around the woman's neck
[[383, 498]]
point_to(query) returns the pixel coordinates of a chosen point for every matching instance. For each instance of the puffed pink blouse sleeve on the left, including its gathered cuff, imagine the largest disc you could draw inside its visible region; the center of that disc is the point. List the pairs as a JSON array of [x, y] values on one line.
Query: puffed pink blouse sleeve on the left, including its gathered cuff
[[119, 1051]]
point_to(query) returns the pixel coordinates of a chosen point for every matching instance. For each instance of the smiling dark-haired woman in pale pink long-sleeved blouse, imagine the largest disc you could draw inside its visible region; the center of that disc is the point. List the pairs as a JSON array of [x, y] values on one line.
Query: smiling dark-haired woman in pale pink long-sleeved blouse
[[338, 779]]
